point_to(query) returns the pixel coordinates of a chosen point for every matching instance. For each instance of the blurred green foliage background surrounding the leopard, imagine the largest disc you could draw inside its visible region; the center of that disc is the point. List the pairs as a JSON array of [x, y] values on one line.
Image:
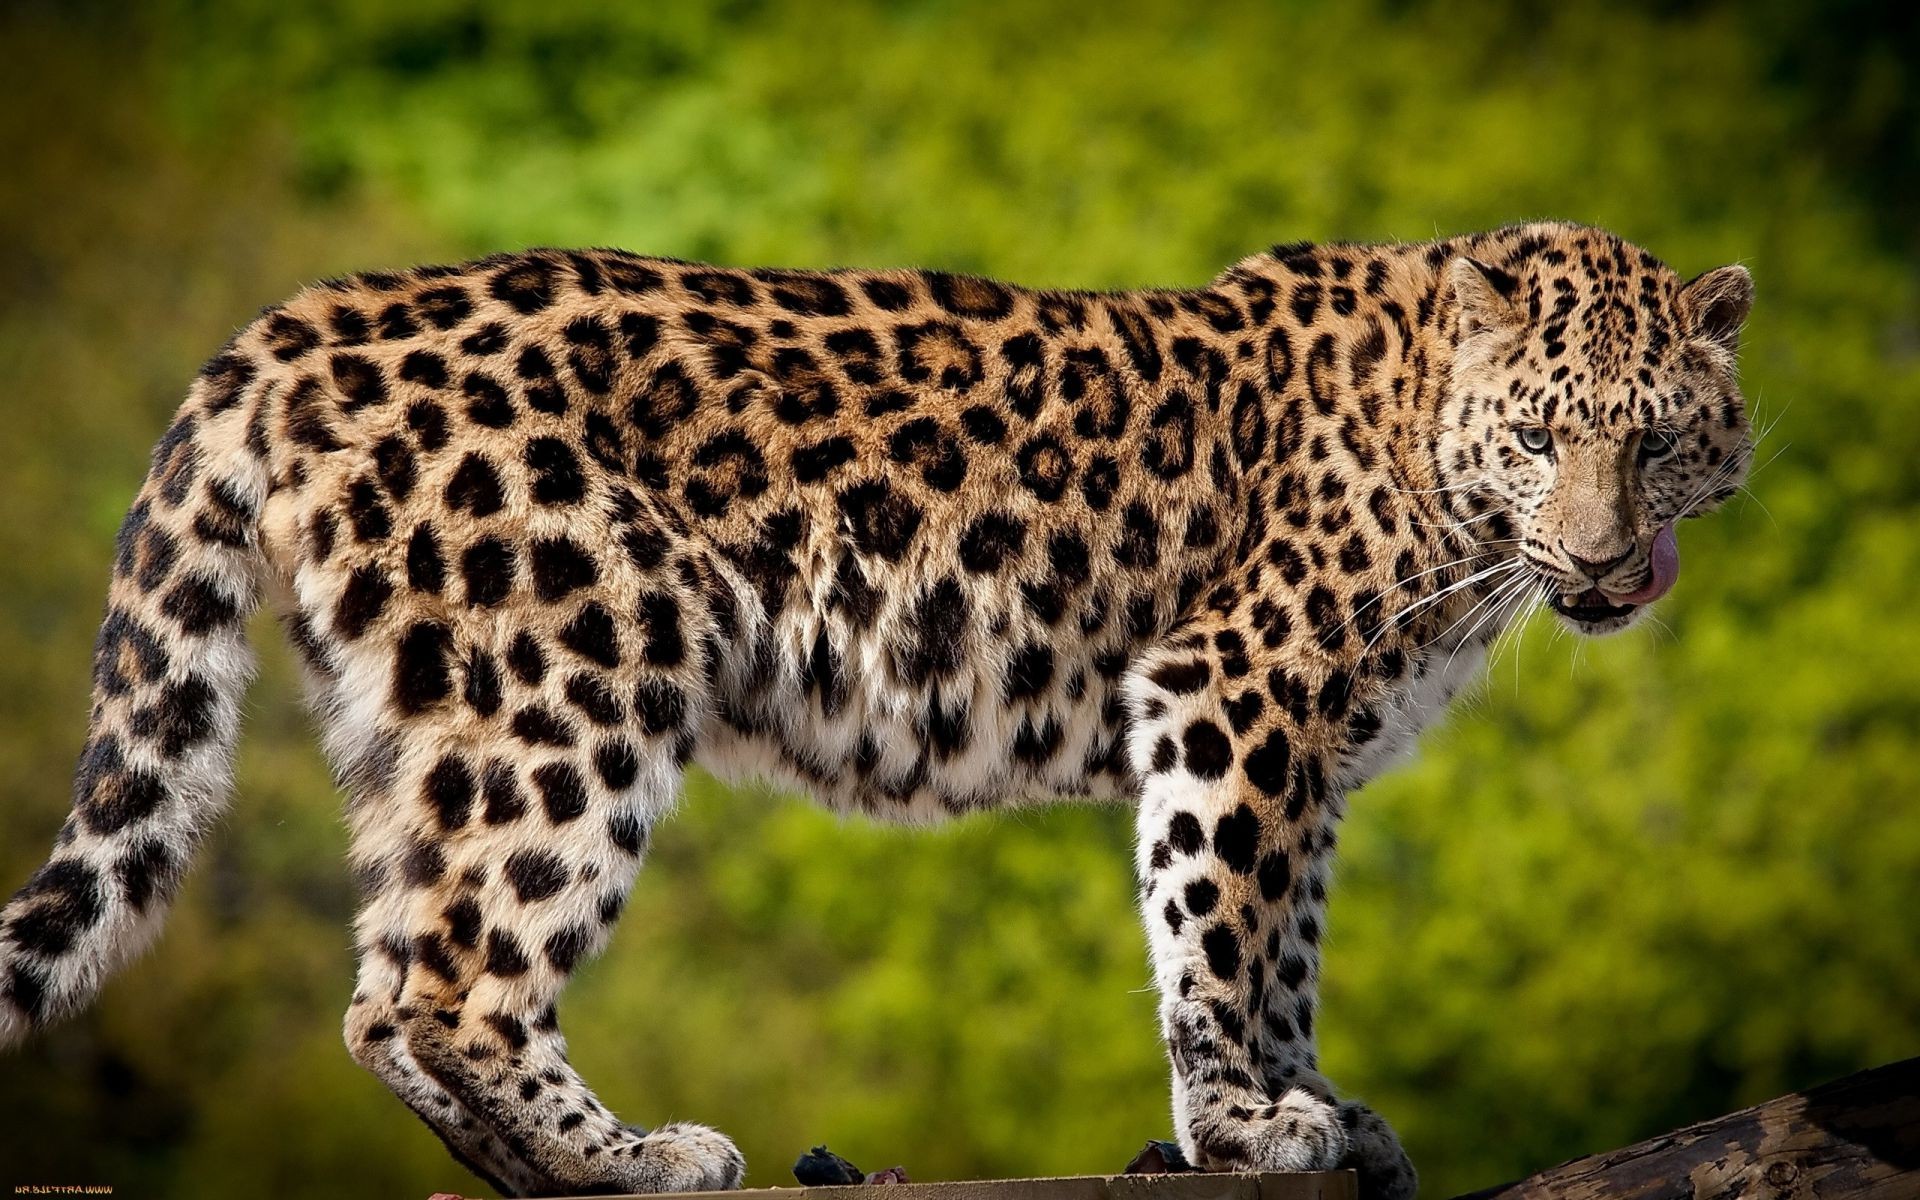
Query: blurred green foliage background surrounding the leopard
[[1635, 884]]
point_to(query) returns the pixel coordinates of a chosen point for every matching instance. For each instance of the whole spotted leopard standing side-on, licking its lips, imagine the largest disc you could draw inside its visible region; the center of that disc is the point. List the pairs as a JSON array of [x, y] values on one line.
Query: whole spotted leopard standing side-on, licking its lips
[[552, 527]]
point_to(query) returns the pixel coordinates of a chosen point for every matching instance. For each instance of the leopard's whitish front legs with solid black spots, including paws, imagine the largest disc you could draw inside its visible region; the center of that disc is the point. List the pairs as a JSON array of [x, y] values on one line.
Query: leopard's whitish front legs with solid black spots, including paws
[[1236, 832]]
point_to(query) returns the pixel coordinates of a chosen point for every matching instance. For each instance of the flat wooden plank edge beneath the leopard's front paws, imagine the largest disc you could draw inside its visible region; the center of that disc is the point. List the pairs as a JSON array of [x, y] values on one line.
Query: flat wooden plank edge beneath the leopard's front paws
[[1197, 1186]]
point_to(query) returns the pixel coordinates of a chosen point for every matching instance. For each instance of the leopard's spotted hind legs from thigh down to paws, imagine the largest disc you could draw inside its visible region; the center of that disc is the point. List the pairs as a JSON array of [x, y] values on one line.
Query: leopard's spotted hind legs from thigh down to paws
[[500, 817]]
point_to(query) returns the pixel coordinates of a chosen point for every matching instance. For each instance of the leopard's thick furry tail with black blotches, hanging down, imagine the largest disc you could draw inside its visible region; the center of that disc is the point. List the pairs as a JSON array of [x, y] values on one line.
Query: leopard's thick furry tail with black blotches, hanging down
[[170, 671]]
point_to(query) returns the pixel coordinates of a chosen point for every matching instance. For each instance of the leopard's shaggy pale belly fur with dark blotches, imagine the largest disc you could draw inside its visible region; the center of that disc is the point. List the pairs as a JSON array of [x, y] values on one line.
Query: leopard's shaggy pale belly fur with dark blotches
[[859, 711]]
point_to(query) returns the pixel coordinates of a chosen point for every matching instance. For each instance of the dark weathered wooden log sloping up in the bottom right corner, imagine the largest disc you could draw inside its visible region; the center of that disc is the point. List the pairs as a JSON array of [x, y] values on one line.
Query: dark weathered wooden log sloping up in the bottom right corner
[[1852, 1140]]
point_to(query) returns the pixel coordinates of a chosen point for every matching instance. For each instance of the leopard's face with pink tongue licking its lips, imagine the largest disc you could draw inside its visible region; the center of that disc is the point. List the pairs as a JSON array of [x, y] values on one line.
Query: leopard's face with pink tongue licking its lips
[[1596, 408]]
